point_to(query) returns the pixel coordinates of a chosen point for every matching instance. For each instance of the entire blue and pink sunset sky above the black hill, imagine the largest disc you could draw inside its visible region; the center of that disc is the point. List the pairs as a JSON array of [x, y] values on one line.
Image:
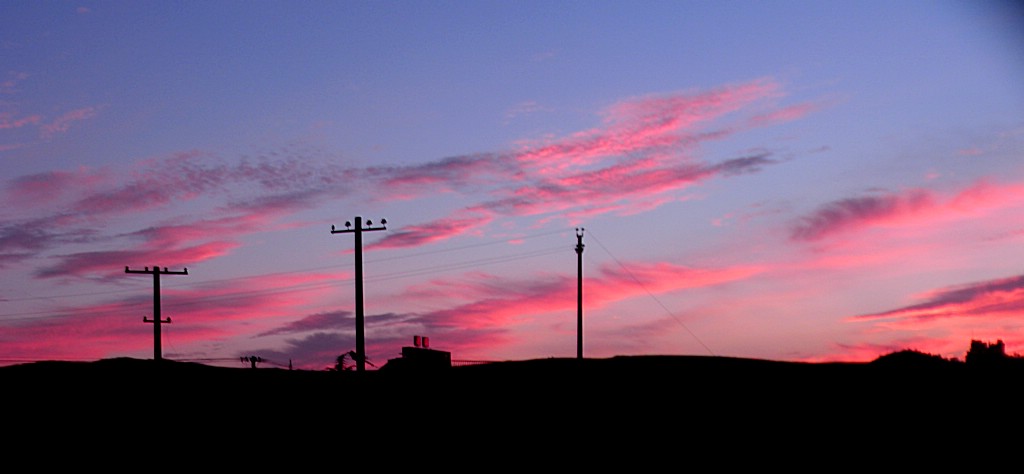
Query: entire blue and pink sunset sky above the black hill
[[787, 181]]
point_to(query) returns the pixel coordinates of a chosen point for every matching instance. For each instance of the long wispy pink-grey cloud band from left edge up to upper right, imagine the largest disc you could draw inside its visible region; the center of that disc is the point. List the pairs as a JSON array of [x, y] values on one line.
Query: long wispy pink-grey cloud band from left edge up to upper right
[[639, 159]]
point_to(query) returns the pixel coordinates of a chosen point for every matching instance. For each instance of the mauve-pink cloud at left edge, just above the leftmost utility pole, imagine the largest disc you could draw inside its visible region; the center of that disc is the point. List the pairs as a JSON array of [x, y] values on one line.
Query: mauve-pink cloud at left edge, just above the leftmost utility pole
[[164, 184]]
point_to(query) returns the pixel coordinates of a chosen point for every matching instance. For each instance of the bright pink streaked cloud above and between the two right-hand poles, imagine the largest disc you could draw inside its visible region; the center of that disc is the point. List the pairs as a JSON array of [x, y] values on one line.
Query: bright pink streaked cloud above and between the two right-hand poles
[[637, 156]]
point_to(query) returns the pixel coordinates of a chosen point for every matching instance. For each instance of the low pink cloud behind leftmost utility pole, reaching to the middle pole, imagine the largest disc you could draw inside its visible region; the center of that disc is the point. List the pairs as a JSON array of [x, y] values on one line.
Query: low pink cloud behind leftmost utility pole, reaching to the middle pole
[[198, 314]]
